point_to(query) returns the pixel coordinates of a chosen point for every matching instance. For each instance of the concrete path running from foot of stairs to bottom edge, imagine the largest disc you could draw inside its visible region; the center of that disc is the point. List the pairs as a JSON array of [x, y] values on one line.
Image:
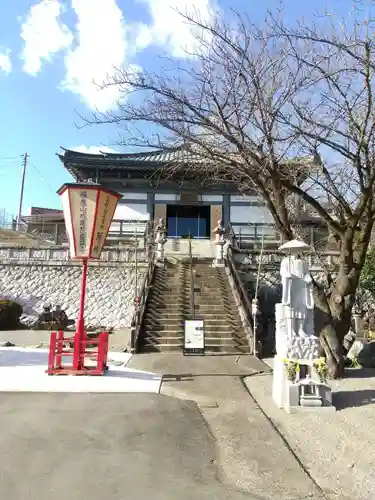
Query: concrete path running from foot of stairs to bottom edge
[[250, 455]]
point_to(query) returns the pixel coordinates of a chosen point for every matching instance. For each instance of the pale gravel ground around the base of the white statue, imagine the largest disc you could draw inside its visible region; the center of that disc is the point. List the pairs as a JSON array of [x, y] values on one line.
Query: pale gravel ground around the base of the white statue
[[337, 449]]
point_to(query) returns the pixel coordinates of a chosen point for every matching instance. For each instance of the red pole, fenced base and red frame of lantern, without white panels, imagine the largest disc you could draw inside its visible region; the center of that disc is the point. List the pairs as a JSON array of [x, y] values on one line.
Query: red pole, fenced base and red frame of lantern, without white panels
[[80, 353]]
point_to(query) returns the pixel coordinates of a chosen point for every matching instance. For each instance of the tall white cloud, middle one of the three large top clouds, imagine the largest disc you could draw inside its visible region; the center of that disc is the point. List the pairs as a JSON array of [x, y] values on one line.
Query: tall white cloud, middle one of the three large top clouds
[[102, 46]]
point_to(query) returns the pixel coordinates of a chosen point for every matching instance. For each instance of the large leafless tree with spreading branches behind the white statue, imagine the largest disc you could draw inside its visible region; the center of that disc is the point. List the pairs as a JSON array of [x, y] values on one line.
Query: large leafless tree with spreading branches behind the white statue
[[287, 112]]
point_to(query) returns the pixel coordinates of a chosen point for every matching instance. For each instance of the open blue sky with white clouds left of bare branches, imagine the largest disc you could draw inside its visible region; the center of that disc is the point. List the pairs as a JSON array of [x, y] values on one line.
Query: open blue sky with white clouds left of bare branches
[[52, 50]]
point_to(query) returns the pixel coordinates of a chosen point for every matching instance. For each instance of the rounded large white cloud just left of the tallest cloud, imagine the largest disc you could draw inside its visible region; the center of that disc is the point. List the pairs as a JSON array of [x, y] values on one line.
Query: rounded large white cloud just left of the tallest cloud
[[44, 34]]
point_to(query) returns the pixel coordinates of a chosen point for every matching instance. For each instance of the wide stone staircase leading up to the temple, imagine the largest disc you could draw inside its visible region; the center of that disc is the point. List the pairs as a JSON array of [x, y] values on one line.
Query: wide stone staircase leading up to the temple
[[169, 305]]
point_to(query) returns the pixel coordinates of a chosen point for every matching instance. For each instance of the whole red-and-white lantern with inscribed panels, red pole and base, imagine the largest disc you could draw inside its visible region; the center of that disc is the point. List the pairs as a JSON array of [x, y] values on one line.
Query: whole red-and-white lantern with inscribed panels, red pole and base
[[80, 353]]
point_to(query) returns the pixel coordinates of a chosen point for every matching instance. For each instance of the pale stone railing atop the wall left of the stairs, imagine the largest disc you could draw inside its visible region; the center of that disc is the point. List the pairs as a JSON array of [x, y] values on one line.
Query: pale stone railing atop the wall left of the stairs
[[49, 255]]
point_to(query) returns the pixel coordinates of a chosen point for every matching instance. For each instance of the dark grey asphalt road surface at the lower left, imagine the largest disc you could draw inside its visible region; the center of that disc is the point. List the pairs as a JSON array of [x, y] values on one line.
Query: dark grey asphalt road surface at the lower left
[[105, 446]]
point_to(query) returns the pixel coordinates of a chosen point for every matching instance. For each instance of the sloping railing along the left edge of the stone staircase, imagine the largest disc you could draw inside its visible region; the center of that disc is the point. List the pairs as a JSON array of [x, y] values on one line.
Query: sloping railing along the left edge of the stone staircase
[[140, 301]]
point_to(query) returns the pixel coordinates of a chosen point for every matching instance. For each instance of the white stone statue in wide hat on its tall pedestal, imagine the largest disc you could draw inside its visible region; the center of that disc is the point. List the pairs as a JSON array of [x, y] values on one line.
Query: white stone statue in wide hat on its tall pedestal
[[299, 375]]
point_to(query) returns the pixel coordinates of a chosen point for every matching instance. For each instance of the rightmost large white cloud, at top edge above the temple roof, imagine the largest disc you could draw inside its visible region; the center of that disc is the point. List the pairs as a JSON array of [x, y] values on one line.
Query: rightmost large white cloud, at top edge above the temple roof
[[169, 29]]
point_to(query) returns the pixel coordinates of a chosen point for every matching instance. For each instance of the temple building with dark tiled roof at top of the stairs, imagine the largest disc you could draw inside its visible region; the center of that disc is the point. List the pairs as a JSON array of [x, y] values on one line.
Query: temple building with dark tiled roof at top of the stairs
[[188, 205]]
